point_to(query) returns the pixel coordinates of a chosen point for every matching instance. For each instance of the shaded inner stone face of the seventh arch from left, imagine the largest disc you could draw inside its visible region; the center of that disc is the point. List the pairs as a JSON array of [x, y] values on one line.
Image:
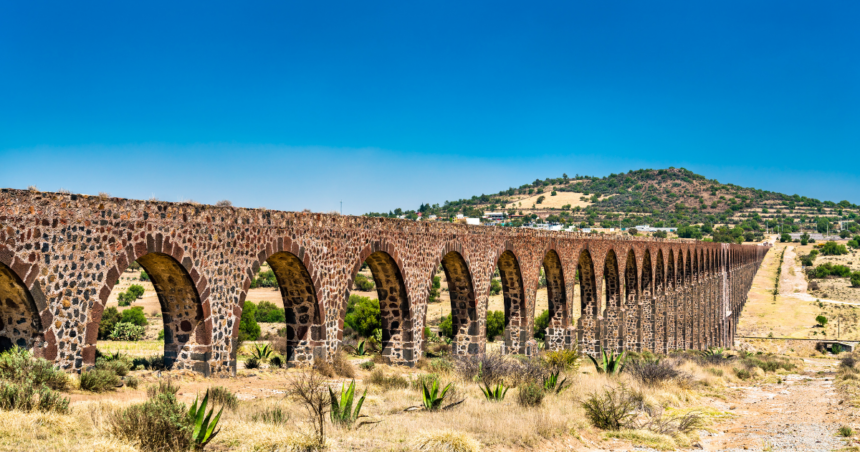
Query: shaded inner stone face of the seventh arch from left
[[556, 298]]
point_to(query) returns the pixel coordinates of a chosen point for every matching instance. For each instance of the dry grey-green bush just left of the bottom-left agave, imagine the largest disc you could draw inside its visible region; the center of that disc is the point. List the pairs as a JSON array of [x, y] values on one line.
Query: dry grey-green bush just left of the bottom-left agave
[[159, 424]]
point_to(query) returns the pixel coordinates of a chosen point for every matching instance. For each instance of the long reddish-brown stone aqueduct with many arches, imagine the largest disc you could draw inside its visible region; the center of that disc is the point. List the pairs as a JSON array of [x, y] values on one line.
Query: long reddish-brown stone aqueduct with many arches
[[61, 254]]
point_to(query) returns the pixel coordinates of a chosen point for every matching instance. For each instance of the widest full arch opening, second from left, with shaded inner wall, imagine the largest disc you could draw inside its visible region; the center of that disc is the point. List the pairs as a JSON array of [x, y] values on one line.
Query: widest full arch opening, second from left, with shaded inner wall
[[156, 290]]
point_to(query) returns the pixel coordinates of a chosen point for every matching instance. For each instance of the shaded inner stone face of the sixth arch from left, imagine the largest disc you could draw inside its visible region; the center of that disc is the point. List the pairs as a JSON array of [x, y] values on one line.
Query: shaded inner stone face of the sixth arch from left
[[516, 324]]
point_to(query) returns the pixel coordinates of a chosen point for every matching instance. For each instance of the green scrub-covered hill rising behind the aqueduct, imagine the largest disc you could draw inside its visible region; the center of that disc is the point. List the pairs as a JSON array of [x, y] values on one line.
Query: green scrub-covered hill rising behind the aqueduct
[[673, 197]]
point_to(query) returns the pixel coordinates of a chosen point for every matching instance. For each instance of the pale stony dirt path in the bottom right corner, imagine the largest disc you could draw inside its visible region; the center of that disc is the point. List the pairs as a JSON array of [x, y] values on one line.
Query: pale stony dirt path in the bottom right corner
[[802, 413]]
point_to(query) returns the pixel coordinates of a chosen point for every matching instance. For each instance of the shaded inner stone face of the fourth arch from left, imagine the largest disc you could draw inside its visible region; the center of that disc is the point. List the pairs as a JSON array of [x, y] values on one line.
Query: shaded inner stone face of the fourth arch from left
[[395, 310]]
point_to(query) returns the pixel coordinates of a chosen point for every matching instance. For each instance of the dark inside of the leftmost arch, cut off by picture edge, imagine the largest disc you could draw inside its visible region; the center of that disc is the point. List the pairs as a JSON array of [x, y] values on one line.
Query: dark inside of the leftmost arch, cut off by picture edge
[[19, 320]]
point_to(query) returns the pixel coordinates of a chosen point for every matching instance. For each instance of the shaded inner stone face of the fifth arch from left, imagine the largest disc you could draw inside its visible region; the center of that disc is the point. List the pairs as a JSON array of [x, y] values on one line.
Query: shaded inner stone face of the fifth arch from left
[[464, 315]]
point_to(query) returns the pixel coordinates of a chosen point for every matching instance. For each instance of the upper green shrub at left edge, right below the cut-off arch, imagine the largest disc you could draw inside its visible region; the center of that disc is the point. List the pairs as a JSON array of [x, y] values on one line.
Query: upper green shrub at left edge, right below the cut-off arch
[[17, 365]]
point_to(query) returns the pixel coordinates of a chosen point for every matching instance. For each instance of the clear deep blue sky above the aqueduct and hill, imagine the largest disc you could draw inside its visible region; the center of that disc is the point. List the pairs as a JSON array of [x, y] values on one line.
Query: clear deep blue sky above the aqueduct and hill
[[293, 105]]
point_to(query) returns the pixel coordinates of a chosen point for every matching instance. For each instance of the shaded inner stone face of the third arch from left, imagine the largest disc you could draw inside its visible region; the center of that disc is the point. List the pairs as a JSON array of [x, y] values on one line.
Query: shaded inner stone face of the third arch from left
[[302, 312]]
